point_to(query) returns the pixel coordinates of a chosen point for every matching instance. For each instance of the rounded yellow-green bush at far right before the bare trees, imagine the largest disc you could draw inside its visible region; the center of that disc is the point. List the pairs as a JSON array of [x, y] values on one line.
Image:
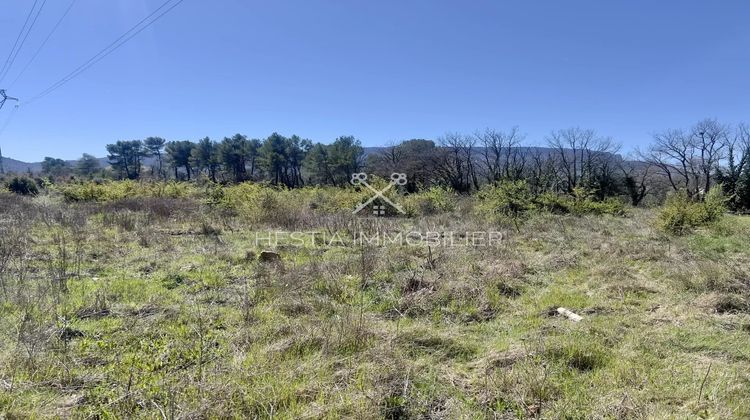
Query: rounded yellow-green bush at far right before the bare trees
[[680, 214]]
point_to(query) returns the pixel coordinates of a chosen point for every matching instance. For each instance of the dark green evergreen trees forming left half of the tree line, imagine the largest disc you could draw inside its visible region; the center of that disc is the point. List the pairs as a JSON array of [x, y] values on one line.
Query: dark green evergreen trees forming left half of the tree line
[[279, 160]]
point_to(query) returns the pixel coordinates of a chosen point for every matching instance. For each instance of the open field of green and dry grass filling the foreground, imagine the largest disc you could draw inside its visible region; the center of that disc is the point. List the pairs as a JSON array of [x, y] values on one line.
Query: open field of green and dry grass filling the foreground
[[162, 308]]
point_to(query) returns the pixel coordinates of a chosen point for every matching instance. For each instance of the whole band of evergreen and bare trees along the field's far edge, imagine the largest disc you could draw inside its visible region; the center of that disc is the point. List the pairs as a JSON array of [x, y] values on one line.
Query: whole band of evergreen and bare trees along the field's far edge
[[691, 160]]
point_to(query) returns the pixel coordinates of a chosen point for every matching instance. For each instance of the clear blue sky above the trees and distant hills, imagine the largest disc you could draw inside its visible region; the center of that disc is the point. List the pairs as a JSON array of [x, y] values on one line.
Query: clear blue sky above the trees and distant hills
[[382, 71]]
